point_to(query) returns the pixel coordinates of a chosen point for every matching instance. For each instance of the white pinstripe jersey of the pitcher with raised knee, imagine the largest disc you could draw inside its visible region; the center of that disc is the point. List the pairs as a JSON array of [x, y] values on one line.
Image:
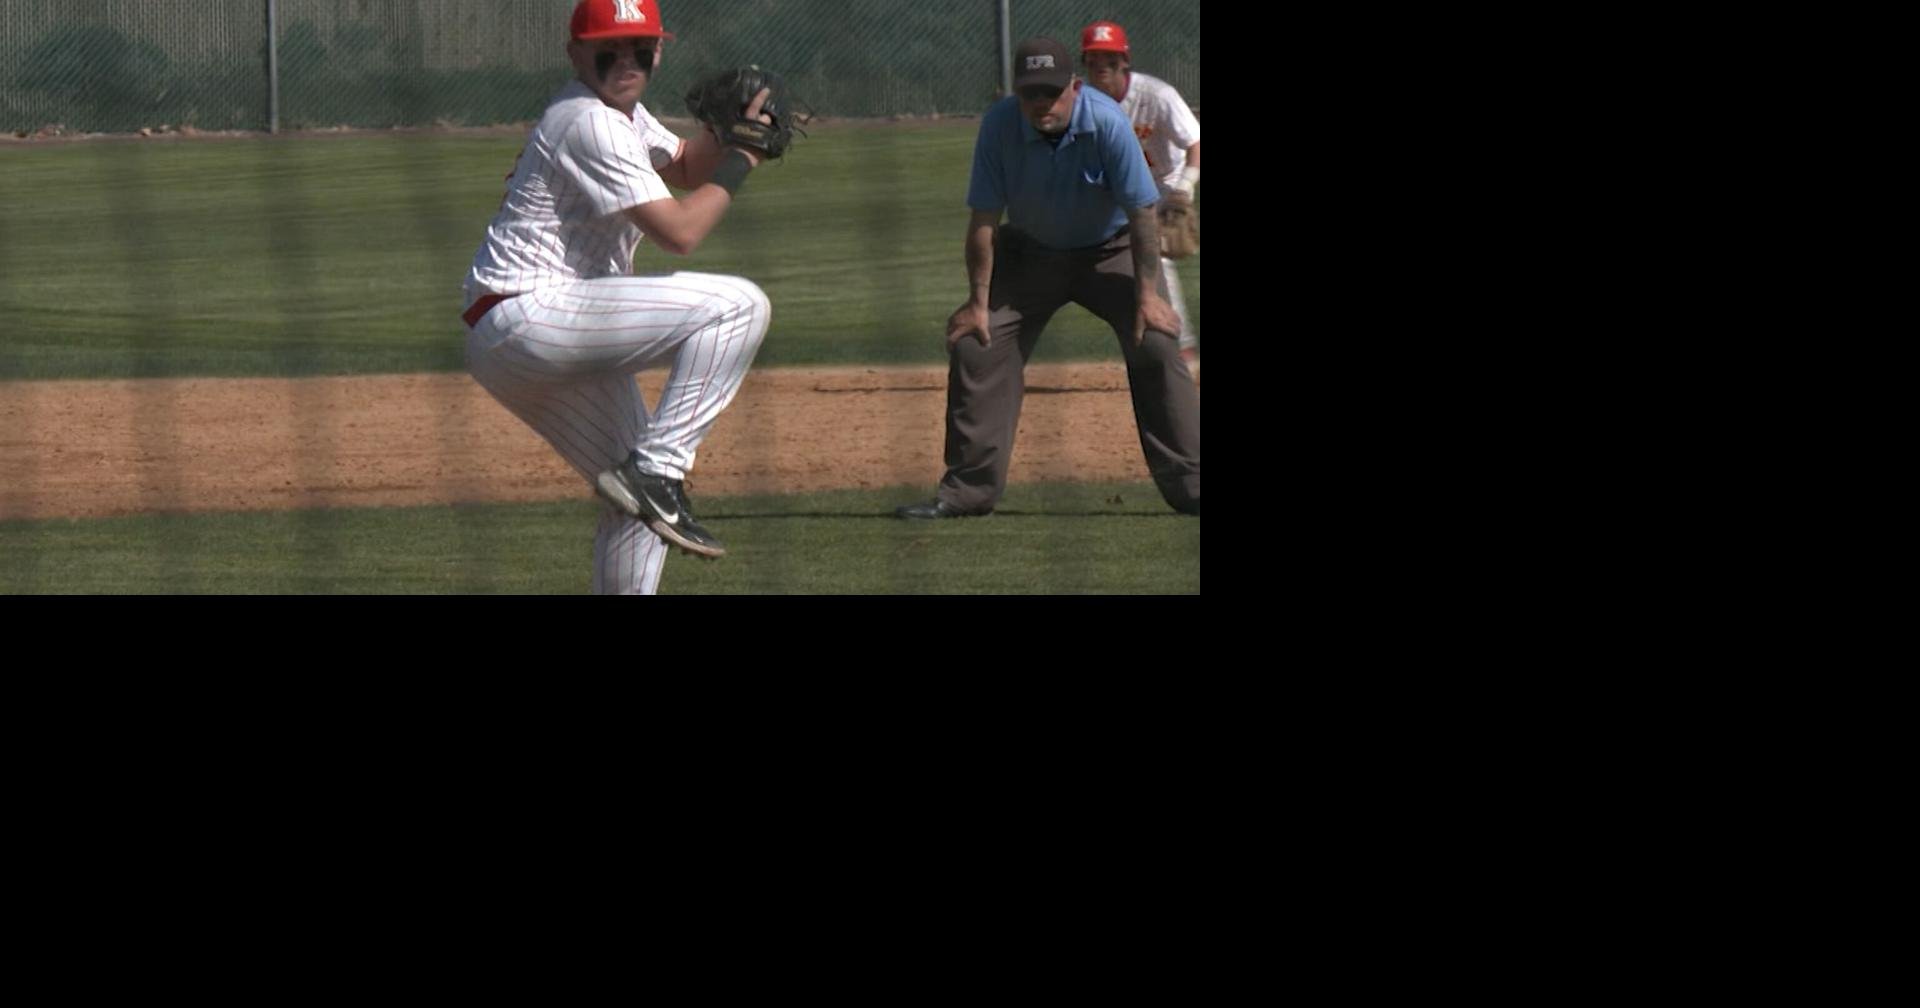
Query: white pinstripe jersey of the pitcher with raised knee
[[562, 220]]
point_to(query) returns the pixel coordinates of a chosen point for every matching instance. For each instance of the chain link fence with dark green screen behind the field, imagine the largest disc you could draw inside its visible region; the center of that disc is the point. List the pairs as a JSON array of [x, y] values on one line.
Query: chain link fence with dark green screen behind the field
[[118, 66]]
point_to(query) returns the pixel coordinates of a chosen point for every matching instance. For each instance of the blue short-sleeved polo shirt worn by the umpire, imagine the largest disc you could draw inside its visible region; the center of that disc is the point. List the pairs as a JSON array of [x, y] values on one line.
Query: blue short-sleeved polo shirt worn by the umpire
[[1070, 197]]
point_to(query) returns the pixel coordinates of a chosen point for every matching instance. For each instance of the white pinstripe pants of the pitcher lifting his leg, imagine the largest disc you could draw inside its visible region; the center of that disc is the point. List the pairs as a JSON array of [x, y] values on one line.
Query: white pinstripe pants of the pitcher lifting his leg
[[564, 360]]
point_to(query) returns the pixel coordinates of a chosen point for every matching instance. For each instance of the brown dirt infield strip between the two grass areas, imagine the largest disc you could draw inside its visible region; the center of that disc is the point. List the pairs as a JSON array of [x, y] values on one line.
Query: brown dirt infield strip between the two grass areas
[[80, 450]]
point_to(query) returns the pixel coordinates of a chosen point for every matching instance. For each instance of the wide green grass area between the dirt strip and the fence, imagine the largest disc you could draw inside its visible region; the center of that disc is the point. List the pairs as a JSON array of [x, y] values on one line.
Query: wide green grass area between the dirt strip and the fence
[[345, 254]]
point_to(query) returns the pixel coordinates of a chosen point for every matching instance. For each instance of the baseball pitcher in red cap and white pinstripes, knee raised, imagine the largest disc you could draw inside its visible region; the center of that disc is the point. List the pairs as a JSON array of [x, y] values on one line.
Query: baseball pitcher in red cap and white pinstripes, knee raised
[[560, 325]]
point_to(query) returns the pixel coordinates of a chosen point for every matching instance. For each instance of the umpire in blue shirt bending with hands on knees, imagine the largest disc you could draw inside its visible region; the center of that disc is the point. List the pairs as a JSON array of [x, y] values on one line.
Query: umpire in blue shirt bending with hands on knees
[[1063, 164]]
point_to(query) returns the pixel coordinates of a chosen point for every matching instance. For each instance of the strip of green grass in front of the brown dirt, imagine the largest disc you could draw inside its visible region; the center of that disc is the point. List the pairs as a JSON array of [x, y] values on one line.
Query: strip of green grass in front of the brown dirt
[[1047, 539]]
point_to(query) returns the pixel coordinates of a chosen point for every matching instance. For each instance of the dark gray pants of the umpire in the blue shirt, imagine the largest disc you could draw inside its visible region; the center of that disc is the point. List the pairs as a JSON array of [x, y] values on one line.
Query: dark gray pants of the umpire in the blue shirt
[[986, 383]]
